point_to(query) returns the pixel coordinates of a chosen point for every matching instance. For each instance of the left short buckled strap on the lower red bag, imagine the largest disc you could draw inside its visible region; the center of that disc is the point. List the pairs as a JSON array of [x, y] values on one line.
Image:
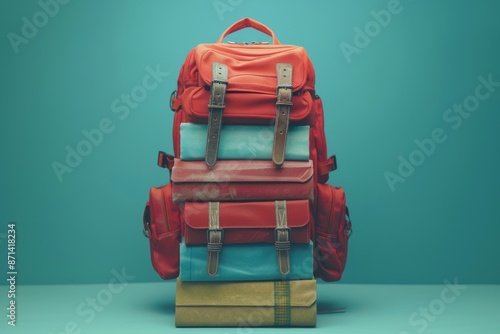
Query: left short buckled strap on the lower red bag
[[214, 237]]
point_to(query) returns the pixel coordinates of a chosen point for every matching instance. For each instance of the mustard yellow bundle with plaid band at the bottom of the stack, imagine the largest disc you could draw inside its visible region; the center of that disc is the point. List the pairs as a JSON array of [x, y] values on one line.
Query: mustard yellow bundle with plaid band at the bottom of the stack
[[246, 304]]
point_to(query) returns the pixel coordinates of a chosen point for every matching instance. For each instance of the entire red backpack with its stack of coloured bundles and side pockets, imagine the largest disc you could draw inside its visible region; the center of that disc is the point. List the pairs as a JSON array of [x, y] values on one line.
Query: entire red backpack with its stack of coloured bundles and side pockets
[[247, 222]]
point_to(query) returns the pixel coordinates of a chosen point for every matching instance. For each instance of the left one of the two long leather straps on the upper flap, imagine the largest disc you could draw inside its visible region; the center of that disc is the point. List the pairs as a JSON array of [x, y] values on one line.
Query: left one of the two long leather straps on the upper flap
[[216, 108]]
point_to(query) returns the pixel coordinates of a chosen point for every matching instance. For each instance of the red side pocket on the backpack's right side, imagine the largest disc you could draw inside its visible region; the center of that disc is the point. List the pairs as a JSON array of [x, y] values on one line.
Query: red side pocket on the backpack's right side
[[333, 228]]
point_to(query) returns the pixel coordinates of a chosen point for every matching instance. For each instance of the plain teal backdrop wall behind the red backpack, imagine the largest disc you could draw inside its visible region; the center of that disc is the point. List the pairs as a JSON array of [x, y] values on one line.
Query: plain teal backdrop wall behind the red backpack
[[441, 223]]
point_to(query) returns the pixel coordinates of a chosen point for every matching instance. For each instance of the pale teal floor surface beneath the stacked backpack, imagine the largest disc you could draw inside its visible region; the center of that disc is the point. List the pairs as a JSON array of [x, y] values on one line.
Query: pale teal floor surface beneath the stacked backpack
[[149, 308]]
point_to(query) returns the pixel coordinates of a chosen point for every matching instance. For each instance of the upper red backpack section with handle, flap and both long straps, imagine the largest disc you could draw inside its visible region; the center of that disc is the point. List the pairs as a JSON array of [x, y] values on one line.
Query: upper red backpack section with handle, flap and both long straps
[[254, 88]]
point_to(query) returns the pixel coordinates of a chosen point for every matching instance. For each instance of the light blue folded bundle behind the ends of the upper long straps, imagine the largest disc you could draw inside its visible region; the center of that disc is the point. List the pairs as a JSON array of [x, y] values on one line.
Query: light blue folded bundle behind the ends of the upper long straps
[[243, 142]]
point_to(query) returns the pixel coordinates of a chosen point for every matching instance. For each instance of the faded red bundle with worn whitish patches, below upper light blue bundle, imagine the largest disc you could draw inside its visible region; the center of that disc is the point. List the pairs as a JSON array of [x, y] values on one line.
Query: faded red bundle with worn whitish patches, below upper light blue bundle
[[237, 180]]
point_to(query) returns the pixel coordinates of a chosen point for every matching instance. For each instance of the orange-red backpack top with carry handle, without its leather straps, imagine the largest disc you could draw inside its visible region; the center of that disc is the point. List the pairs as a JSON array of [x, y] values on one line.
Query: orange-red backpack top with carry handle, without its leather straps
[[252, 72]]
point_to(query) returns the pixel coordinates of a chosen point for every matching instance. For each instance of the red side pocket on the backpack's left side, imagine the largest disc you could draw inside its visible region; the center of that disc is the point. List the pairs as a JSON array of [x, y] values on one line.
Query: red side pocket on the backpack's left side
[[163, 228]]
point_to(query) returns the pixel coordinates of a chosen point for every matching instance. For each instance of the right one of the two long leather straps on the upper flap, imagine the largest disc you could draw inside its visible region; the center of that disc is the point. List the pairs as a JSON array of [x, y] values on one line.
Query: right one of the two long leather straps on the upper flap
[[284, 92]]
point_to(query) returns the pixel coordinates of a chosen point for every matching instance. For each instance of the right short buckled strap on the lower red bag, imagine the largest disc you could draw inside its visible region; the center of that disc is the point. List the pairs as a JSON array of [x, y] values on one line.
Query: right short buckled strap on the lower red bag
[[282, 238]]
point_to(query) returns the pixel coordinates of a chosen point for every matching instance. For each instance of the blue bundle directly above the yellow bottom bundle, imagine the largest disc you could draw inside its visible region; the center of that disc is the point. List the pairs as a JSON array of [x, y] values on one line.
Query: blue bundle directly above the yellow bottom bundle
[[245, 262]]
